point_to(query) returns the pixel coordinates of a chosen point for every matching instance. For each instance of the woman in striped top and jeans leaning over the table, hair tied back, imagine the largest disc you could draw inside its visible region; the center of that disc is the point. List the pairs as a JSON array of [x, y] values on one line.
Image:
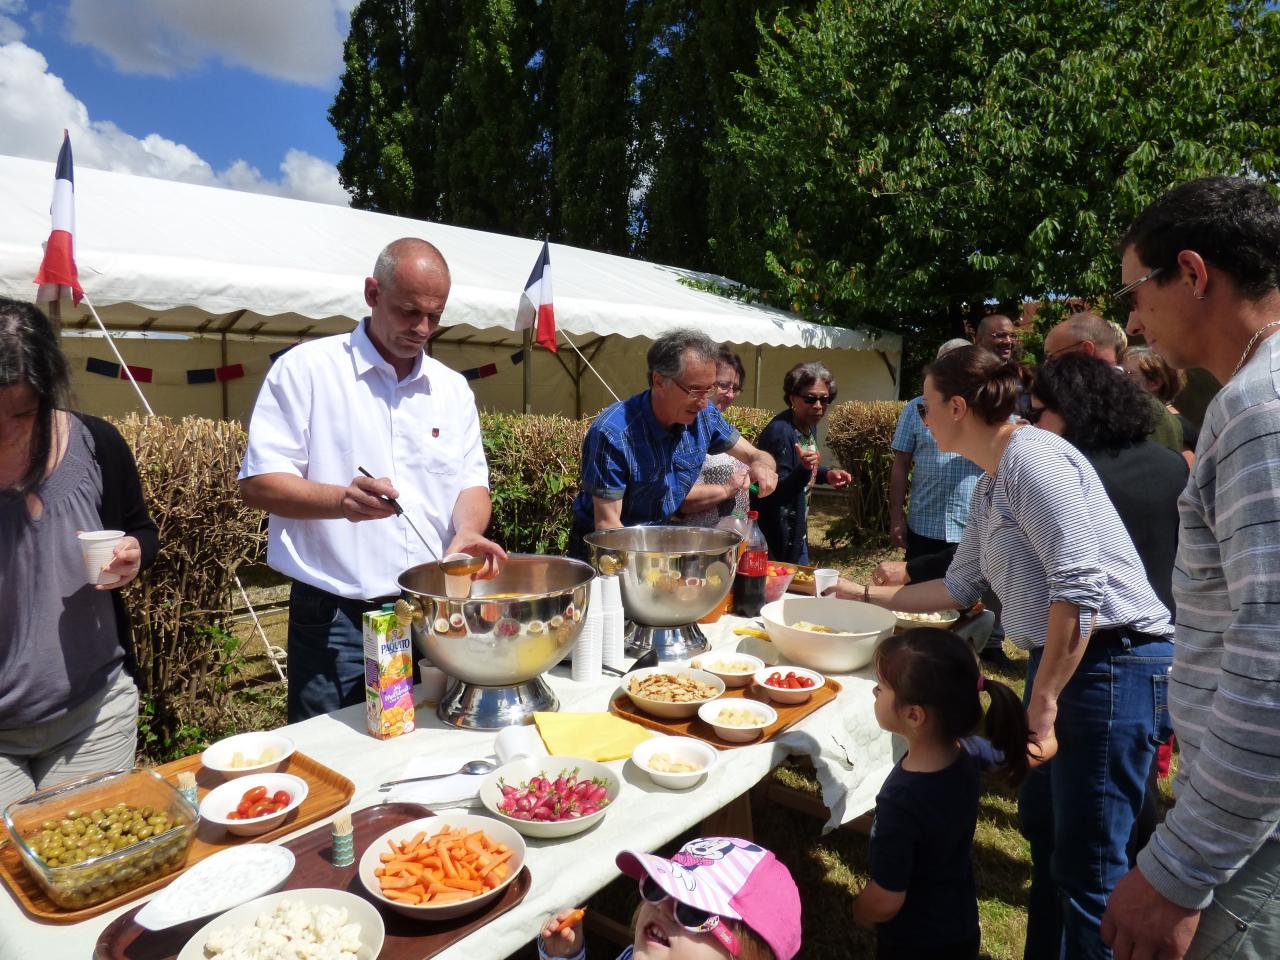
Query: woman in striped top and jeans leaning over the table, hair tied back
[[1046, 538]]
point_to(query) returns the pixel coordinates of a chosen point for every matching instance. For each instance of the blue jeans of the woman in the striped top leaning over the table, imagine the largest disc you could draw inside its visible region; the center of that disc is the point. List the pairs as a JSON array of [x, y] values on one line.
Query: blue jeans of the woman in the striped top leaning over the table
[[1077, 811]]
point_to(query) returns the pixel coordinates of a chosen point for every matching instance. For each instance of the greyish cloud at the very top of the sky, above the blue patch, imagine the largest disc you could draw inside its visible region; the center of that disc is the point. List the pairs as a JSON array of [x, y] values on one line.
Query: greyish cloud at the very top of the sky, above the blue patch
[[294, 40]]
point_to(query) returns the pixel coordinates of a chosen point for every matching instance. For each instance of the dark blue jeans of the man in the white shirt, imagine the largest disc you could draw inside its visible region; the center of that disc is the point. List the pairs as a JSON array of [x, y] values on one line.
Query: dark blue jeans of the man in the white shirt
[[327, 652]]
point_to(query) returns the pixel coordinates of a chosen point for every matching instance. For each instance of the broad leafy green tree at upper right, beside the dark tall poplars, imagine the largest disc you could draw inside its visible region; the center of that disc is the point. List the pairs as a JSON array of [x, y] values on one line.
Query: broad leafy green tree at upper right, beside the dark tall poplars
[[920, 158]]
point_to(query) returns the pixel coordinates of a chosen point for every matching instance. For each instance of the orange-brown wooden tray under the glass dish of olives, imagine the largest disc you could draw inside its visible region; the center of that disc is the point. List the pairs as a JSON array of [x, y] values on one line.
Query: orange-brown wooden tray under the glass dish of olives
[[328, 792]]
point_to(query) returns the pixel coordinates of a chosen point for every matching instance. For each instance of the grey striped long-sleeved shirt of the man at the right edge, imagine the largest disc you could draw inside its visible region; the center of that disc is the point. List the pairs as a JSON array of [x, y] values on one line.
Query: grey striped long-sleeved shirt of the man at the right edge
[[1224, 693]]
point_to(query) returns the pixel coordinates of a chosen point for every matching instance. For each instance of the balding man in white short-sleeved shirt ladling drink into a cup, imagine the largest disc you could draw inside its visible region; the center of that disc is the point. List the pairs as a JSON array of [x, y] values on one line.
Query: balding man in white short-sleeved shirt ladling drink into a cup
[[369, 399]]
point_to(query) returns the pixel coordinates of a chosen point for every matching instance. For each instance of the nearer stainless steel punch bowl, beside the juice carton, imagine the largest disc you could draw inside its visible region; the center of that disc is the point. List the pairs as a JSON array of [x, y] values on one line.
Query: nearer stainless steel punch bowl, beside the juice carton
[[501, 639]]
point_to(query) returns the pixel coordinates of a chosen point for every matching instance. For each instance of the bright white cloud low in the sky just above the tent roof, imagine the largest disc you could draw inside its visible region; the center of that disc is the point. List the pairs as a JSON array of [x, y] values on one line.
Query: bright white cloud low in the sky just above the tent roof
[[36, 107]]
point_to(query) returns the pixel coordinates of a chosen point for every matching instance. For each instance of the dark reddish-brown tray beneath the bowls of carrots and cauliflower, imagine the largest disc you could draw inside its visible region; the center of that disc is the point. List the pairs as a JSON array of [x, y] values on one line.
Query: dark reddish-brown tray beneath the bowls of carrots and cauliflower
[[406, 939]]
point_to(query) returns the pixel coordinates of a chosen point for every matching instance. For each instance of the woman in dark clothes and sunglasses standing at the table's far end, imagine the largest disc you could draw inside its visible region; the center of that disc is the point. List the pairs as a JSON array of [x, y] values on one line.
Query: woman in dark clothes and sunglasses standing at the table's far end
[[792, 437]]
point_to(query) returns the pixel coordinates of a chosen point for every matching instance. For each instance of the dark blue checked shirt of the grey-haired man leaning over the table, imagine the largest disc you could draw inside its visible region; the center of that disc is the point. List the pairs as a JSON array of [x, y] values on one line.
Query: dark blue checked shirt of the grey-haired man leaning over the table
[[629, 456]]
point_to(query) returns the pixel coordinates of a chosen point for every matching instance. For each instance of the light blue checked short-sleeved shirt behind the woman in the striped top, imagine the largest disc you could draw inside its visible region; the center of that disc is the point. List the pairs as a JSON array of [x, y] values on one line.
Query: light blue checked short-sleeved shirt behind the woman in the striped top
[[941, 483]]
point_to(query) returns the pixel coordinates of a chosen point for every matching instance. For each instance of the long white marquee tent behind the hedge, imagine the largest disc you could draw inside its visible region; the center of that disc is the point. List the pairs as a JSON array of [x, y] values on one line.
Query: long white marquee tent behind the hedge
[[207, 278]]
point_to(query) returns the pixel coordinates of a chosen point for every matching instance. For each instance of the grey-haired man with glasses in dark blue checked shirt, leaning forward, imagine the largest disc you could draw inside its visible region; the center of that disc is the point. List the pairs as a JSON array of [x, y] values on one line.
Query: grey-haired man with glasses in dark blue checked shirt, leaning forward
[[642, 456]]
